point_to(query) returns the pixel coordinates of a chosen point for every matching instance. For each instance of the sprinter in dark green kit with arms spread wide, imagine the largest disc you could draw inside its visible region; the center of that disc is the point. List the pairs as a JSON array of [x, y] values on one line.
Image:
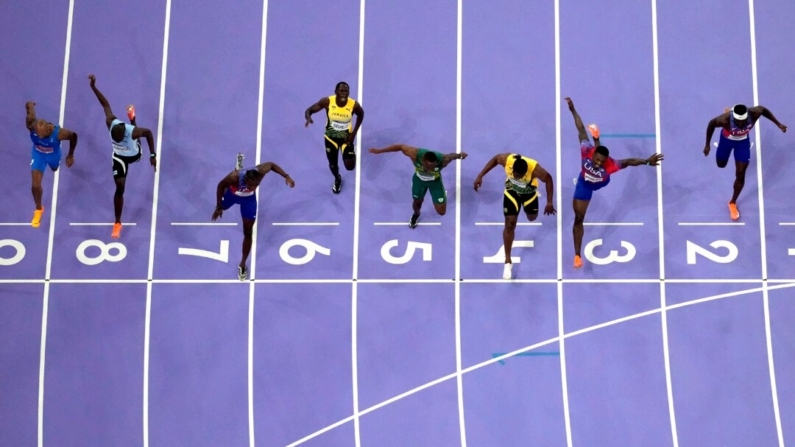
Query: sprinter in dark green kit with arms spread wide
[[427, 176]]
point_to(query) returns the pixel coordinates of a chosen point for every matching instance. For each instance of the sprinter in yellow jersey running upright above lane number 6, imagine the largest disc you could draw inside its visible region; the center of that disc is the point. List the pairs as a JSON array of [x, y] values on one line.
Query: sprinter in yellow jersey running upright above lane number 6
[[339, 135]]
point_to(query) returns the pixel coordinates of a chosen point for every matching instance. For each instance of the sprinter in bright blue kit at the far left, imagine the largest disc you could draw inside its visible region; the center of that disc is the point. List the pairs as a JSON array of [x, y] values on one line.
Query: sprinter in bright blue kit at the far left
[[46, 151]]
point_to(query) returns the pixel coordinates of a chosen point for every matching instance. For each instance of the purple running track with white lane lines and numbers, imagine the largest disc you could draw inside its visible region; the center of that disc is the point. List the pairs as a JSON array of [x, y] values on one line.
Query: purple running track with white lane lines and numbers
[[352, 309]]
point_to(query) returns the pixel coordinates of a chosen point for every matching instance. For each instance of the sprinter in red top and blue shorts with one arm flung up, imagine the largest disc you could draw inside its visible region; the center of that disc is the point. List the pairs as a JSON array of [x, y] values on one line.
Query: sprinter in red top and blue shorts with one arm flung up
[[596, 167]]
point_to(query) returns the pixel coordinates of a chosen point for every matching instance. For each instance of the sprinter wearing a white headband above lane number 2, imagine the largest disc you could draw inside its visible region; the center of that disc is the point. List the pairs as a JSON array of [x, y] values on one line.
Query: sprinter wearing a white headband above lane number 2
[[736, 123]]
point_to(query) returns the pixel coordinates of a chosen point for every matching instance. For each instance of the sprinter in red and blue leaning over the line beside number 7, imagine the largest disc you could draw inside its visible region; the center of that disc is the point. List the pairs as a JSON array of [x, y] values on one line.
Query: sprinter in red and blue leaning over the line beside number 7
[[240, 188]]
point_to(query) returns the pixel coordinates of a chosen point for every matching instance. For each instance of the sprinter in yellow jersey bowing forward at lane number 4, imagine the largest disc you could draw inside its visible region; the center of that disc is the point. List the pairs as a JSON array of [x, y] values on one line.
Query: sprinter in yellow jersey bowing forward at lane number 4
[[521, 191]]
